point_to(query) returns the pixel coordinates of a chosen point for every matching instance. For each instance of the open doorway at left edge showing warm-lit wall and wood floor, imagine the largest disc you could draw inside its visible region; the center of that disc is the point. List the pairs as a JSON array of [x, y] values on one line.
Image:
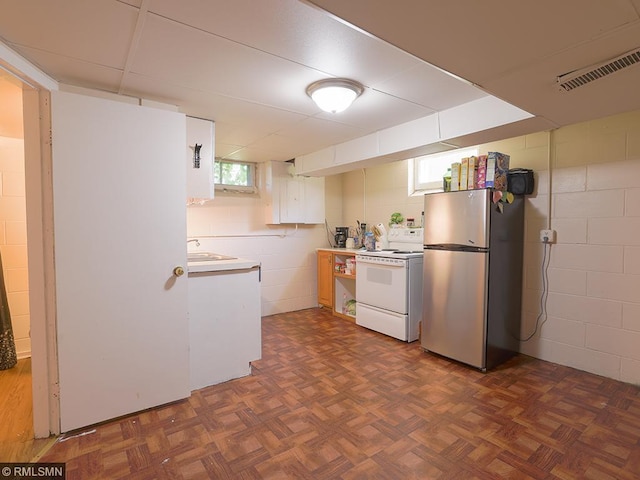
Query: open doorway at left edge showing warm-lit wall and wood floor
[[16, 431]]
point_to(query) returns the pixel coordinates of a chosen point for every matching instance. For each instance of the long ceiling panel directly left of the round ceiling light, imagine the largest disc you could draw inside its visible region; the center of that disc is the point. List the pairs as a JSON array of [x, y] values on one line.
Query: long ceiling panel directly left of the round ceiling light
[[184, 56]]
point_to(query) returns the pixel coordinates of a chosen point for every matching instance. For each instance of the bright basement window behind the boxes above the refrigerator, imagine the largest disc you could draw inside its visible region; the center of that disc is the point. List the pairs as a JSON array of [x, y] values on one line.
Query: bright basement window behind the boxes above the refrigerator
[[425, 173]]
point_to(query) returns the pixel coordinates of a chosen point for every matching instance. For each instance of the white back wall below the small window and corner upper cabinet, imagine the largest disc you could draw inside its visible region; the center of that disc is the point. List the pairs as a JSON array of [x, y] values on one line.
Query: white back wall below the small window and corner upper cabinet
[[234, 224]]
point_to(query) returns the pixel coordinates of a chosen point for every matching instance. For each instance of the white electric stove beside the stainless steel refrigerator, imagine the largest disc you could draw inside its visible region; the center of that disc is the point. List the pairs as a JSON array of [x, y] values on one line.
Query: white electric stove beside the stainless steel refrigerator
[[389, 286]]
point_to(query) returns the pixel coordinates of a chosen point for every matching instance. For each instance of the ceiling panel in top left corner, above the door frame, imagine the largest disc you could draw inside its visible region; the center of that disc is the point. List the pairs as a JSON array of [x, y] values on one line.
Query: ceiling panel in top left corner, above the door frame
[[97, 32]]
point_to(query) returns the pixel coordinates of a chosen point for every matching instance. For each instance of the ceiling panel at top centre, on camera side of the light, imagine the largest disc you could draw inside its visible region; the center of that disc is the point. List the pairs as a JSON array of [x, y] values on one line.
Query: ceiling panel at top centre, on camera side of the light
[[296, 31]]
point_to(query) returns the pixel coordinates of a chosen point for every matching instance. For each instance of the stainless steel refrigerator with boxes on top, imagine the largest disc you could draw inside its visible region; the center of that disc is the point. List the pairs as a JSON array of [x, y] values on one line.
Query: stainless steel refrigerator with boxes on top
[[472, 277]]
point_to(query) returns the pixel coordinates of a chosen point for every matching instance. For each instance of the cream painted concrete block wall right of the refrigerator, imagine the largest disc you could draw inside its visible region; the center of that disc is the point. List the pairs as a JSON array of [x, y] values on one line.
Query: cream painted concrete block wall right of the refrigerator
[[593, 306]]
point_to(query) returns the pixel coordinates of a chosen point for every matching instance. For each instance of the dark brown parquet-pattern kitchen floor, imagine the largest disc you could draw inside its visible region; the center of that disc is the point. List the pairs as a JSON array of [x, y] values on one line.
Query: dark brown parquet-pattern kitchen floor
[[331, 400]]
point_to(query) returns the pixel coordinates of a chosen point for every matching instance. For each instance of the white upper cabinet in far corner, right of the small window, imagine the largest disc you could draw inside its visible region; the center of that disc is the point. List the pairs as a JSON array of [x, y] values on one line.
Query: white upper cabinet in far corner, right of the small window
[[292, 198]]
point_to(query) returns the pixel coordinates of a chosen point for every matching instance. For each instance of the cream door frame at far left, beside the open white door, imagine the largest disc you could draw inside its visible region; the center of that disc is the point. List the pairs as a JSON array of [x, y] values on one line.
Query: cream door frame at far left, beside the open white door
[[40, 246]]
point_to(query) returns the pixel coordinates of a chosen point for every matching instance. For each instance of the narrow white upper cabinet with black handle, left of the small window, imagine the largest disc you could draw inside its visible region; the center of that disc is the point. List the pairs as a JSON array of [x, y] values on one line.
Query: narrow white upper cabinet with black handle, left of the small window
[[200, 157]]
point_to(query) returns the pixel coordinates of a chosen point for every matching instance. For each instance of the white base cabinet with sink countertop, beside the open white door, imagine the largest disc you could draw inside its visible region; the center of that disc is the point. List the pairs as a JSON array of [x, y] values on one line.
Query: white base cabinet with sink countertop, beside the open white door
[[224, 321]]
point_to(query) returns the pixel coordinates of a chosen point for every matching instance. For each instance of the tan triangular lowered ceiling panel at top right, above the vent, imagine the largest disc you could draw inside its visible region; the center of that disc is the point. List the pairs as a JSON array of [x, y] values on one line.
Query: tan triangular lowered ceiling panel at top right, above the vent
[[483, 40]]
